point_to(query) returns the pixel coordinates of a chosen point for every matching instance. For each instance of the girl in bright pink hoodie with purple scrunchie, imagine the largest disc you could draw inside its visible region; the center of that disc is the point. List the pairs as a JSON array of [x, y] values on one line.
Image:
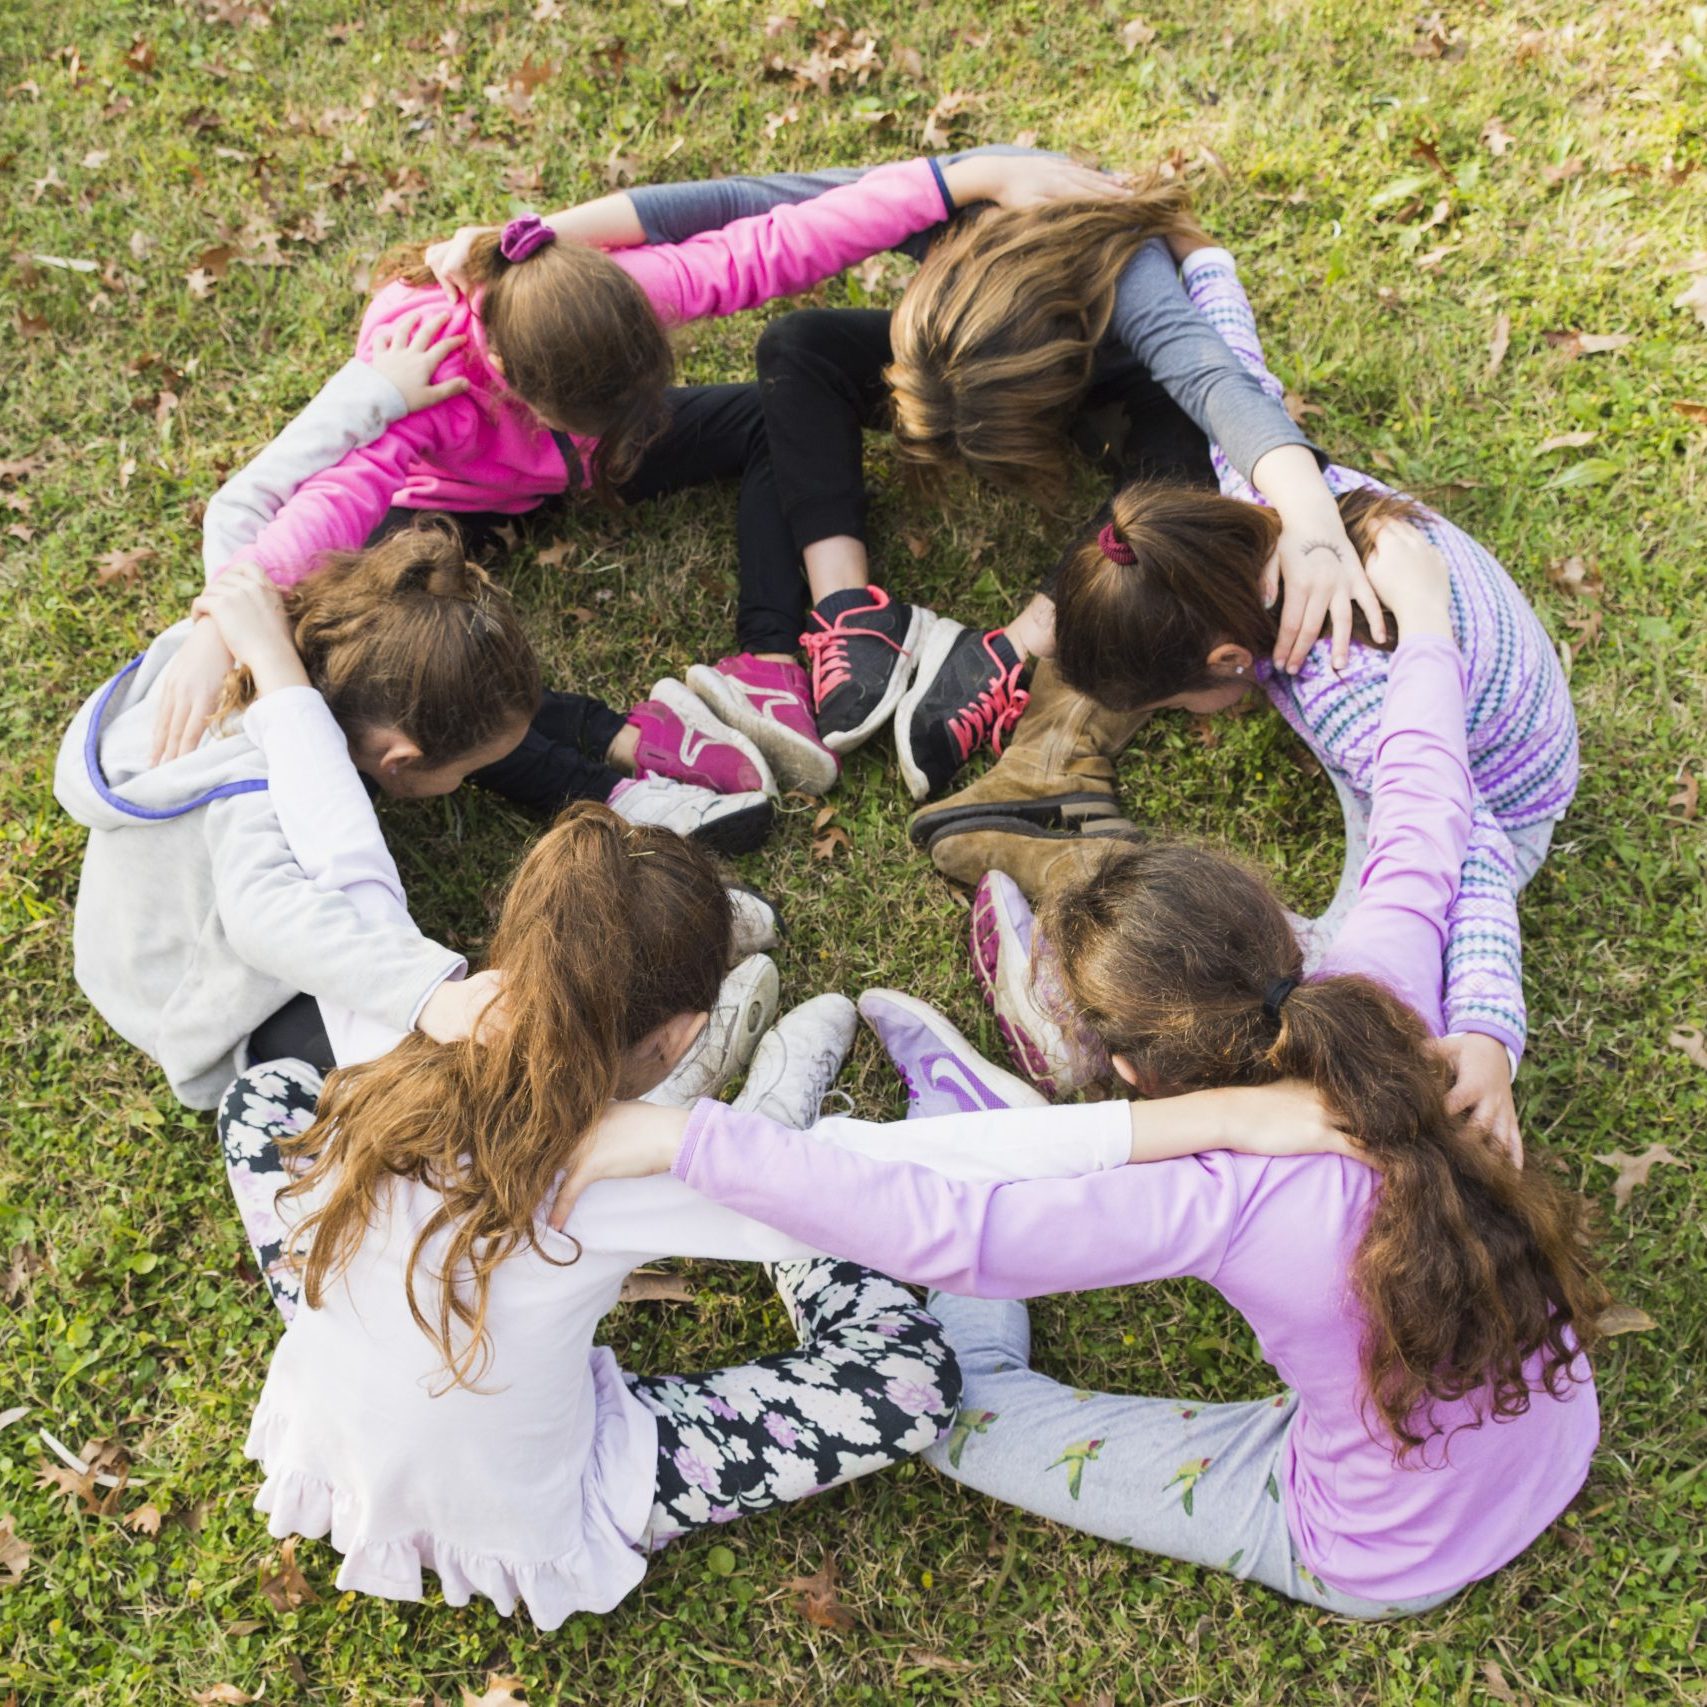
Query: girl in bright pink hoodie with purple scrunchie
[[568, 368]]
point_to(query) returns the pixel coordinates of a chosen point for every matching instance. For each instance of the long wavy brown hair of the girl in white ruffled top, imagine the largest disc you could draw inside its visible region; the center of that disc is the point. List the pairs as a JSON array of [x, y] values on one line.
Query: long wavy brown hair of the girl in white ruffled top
[[609, 931]]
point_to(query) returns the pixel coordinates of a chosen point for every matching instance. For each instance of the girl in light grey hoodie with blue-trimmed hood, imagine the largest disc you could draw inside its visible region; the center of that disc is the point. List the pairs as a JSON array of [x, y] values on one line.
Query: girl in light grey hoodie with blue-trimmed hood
[[195, 935]]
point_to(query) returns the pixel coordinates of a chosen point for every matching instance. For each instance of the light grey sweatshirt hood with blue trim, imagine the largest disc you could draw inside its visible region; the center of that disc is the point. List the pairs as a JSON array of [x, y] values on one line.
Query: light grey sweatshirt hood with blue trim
[[103, 776]]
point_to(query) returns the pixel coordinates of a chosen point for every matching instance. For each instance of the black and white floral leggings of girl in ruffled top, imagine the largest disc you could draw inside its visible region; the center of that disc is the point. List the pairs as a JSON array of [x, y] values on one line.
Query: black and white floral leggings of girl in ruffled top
[[871, 1384]]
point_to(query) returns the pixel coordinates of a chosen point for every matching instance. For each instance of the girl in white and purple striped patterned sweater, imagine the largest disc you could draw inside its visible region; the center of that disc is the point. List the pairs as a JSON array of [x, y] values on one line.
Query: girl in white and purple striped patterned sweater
[[1162, 605]]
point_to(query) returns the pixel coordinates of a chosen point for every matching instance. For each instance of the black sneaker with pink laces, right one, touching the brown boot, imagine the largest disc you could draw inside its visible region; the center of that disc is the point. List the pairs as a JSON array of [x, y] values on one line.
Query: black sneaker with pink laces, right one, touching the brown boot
[[965, 694]]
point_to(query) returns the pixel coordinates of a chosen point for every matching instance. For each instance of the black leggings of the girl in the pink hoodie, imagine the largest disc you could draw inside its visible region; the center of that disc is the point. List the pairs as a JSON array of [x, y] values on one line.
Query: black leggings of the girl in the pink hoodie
[[716, 433]]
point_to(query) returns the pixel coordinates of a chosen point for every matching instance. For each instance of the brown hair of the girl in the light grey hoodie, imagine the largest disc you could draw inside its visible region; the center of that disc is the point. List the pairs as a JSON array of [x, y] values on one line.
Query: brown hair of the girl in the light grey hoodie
[[411, 636]]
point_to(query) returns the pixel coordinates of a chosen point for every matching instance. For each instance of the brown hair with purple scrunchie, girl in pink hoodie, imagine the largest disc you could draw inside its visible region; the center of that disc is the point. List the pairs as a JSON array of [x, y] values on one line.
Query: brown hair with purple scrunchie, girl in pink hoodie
[[580, 341]]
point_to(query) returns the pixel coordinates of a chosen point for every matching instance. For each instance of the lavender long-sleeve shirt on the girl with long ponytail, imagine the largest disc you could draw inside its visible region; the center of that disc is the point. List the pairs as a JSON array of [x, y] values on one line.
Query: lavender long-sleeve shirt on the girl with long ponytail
[[1276, 1238]]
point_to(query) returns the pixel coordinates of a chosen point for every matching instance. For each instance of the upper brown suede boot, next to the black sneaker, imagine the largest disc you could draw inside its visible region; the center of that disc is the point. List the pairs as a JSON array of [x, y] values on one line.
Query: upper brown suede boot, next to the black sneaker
[[1056, 772]]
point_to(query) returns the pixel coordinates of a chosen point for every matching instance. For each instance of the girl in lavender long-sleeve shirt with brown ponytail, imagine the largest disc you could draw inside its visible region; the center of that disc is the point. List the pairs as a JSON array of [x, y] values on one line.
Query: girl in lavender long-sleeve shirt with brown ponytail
[[1426, 1303]]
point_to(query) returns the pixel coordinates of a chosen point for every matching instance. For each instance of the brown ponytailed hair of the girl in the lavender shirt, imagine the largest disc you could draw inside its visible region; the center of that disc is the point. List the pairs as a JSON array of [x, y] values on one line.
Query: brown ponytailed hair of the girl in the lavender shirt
[[1469, 1267]]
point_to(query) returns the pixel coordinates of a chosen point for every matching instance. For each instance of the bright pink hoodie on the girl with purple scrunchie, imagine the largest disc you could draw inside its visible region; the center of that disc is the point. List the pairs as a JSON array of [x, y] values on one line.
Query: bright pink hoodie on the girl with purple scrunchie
[[487, 452]]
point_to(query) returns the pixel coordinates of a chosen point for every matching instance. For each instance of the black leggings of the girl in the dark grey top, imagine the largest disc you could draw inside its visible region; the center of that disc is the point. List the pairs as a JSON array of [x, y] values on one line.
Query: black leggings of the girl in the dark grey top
[[820, 375]]
